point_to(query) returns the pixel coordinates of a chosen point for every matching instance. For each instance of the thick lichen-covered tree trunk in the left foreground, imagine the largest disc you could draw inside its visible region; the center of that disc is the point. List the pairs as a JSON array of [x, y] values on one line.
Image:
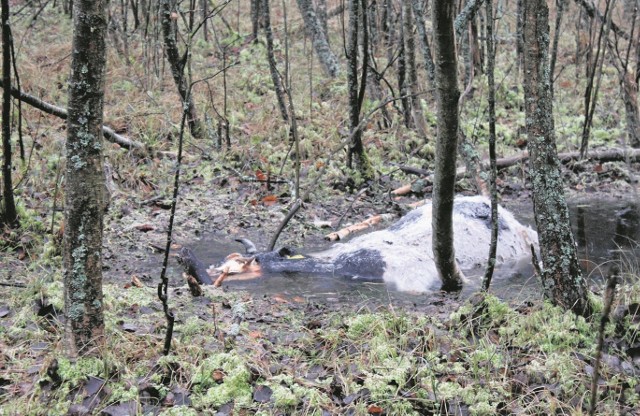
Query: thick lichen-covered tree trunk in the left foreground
[[84, 180]]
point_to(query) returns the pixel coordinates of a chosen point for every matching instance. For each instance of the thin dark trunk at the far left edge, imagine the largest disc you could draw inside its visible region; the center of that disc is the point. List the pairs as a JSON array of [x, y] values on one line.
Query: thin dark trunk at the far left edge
[[8, 213]]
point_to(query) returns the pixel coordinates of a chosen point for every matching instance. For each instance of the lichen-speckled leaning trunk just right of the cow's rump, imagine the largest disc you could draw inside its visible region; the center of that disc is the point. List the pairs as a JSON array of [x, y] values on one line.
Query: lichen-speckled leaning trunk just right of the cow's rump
[[562, 279]]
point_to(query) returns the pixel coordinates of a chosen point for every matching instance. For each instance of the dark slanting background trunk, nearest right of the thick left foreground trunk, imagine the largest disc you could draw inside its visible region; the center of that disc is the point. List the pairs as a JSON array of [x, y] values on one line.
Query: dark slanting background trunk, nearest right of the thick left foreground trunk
[[178, 64]]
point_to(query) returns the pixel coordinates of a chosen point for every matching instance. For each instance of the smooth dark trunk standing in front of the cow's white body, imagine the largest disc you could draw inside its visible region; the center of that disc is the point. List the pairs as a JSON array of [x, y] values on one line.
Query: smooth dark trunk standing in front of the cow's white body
[[447, 94]]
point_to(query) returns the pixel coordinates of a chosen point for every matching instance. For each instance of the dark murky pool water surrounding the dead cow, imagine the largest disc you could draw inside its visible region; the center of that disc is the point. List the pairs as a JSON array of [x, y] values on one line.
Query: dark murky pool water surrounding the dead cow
[[606, 230]]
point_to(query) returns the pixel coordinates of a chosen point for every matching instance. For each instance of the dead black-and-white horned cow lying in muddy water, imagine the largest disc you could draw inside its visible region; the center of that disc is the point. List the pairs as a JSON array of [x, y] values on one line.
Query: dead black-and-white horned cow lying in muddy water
[[400, 255]]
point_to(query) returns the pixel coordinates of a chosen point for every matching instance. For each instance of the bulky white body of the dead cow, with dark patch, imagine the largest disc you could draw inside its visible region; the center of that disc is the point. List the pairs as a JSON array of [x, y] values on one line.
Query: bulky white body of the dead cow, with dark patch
[[402, 254]]
